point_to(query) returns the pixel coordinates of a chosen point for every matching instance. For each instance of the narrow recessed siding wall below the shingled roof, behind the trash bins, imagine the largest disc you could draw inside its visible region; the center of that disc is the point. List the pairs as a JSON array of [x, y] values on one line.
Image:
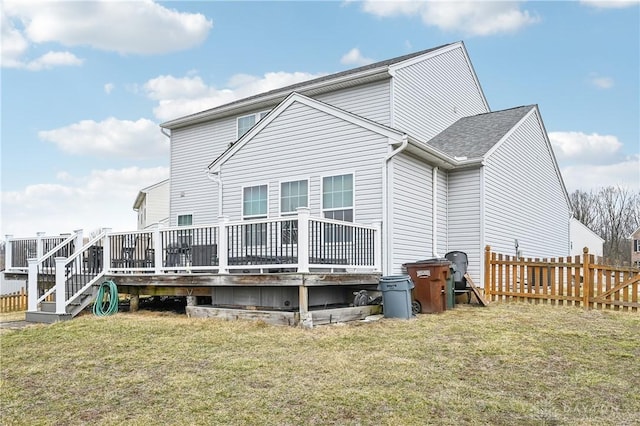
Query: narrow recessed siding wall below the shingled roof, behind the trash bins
[[464, 218]]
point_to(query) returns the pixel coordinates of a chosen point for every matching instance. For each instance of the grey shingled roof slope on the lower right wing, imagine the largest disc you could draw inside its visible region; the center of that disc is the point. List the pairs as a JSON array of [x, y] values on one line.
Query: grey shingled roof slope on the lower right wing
[[475, 136]]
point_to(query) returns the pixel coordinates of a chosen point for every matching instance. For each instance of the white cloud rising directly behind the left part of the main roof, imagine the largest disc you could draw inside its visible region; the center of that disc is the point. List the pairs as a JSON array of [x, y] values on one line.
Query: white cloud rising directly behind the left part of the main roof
[[178, 97]]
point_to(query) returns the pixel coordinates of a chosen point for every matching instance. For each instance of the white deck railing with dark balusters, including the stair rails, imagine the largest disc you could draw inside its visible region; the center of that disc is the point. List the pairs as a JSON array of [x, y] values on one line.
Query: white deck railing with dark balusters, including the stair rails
[[296, 243]]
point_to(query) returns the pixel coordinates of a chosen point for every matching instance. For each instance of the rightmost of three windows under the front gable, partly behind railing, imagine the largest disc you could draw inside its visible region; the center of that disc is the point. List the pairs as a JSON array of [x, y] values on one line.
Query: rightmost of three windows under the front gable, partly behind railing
[[337, 203]]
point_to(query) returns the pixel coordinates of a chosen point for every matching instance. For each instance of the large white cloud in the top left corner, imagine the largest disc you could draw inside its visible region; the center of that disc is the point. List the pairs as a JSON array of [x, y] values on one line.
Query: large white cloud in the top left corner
[[139, 27]]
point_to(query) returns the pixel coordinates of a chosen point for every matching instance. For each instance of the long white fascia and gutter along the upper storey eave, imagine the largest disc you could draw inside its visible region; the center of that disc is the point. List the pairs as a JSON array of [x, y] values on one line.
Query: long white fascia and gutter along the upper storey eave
[[212, 114]]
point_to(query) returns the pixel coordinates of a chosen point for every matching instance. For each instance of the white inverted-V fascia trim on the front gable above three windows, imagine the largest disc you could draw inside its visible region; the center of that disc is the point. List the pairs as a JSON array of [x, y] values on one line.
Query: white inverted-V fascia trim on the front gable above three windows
[[394, 135]]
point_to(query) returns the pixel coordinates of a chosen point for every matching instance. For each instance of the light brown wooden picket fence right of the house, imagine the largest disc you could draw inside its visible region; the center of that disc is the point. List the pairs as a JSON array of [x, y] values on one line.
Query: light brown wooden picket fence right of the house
[[571, 281]]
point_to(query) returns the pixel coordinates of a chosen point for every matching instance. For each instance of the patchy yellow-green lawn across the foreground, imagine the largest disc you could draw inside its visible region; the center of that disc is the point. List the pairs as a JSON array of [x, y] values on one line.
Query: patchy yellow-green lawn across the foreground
[[501, 365]]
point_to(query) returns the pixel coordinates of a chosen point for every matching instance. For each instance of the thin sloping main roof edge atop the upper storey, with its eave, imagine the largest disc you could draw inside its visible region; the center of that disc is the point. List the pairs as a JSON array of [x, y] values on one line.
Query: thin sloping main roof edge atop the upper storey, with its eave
[[372, 72]]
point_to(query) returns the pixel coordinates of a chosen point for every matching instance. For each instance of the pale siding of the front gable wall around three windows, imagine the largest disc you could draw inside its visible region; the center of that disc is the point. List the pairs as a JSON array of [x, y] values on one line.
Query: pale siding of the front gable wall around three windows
[[304, 143]]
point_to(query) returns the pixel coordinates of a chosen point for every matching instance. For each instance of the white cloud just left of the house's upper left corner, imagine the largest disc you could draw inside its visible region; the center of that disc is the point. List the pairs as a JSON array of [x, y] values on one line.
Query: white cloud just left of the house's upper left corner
[[110, 138]]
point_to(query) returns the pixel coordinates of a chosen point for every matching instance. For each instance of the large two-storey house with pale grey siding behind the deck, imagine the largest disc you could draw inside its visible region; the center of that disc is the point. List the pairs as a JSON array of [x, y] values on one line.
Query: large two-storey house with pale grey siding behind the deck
[[408, 142]]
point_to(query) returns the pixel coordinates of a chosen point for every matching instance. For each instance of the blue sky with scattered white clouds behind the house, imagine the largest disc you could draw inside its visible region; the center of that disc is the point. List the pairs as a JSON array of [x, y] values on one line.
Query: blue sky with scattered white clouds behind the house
[[85, 84]]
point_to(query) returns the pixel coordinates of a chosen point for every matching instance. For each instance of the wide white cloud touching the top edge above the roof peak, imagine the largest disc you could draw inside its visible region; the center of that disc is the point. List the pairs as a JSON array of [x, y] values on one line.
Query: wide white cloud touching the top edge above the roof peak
[[469, 17]]
